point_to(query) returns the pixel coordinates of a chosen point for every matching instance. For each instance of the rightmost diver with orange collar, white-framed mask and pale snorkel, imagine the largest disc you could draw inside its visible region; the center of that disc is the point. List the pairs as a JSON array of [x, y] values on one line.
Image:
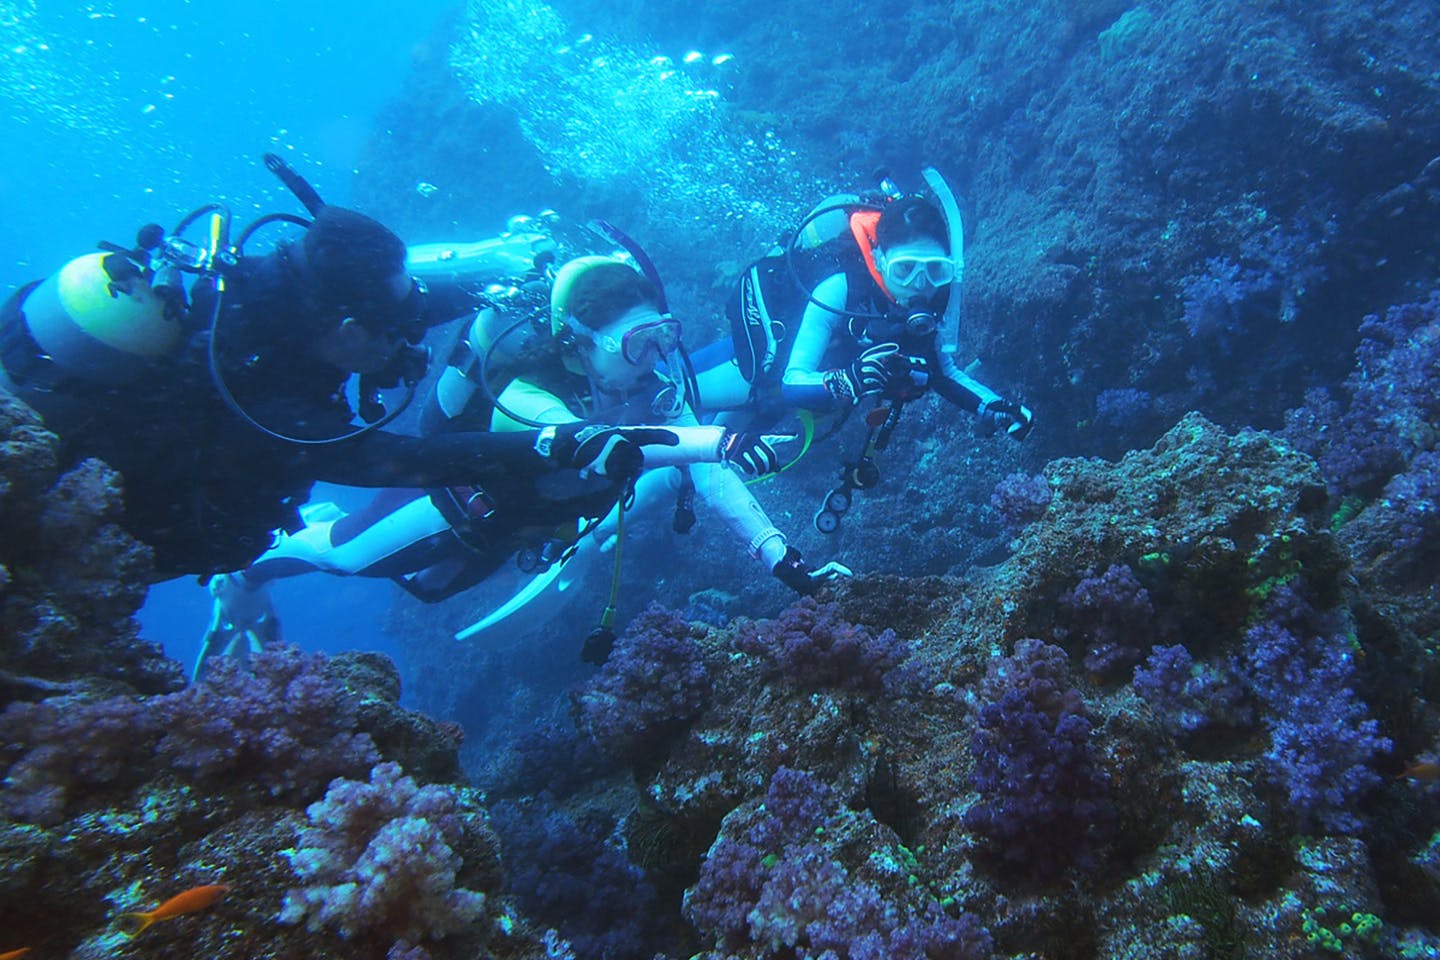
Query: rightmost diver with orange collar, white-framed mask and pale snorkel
[[862, 302]]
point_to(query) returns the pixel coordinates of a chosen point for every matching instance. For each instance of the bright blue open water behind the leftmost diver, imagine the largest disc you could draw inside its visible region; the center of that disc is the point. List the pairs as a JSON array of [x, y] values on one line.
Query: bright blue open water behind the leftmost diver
[[122, 114]]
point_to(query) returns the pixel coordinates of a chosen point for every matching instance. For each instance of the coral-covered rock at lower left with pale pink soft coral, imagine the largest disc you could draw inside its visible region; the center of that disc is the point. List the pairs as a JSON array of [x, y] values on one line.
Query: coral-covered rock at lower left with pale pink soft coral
[[116, 804]]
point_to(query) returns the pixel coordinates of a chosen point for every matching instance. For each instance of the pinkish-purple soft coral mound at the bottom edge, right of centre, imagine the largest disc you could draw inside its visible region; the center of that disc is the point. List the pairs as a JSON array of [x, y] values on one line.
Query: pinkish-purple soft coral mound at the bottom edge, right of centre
[[778, 880]]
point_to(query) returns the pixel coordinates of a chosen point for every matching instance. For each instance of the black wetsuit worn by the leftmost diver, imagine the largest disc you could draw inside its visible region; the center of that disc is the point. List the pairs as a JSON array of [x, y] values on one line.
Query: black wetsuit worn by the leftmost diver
[[204, 487]]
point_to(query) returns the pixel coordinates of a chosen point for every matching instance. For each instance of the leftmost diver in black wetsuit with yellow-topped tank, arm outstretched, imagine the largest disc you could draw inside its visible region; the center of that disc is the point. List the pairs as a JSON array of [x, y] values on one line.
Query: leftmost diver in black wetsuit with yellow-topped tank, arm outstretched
[[215, 382]]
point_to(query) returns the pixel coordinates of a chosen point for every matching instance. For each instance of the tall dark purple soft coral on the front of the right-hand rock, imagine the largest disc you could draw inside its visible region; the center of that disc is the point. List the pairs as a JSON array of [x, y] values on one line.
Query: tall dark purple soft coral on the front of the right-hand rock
[[1045, 805]]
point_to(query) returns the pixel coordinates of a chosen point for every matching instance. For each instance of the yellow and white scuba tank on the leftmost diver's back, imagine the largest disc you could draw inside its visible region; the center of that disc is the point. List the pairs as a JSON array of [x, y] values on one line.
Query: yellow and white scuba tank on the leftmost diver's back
[[96, 327]]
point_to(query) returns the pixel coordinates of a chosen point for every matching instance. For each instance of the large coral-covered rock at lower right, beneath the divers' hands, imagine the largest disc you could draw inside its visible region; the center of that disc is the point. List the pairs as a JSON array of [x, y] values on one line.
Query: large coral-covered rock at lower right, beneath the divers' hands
[[957, 764]]
